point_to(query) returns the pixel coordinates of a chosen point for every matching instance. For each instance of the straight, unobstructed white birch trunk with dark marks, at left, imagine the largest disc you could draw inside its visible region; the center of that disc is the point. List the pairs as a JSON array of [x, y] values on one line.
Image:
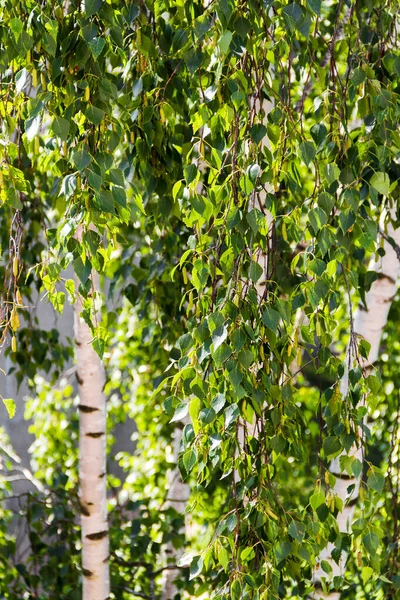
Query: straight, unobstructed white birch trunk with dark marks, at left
[[92, 464]]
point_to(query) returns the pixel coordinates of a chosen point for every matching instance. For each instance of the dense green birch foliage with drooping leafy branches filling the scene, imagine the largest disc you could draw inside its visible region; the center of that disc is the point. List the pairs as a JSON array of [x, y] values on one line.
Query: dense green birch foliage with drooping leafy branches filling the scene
[[233, 165]]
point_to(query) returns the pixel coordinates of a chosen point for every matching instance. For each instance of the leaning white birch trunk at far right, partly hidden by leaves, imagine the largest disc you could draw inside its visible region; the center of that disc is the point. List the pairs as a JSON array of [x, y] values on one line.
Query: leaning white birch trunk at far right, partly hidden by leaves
[[369, 323]]
